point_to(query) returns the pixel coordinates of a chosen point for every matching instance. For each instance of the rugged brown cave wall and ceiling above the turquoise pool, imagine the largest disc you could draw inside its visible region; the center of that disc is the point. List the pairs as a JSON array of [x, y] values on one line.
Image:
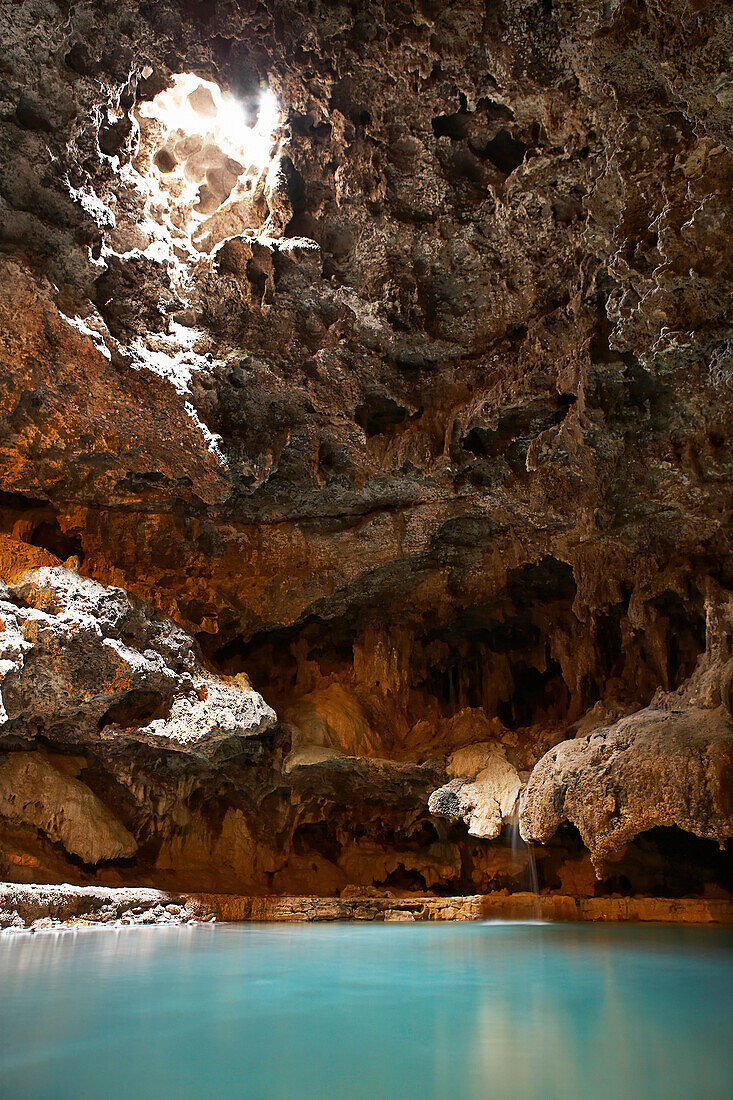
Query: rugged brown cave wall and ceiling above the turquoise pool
[[365, 446]]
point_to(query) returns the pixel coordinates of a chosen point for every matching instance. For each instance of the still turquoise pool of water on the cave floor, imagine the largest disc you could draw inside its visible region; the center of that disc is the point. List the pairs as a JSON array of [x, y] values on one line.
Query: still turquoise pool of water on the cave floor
[[399, 1011]]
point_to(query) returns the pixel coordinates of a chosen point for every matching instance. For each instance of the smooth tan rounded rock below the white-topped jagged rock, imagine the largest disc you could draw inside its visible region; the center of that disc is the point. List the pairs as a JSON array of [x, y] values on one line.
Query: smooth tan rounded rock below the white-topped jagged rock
[[34, 793]]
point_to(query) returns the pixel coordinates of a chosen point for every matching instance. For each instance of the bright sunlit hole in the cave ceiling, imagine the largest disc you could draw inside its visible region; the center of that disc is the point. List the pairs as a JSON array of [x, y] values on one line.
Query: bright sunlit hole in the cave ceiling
[[206, 160]]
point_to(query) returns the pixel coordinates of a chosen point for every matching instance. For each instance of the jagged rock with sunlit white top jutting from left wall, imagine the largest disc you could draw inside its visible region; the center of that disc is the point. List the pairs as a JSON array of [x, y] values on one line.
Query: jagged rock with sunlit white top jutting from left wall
[[86, 664]]
